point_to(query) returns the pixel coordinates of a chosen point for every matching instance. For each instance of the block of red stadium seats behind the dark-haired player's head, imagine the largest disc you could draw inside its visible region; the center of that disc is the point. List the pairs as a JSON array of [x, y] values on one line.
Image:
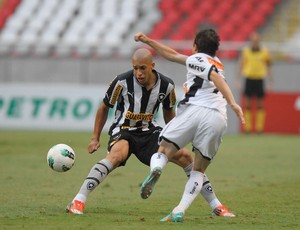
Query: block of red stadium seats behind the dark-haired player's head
[[233, 19]]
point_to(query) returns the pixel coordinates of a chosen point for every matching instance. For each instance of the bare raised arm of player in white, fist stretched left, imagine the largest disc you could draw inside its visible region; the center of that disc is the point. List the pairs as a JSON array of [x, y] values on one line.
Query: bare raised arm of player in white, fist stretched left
[[163, 50]]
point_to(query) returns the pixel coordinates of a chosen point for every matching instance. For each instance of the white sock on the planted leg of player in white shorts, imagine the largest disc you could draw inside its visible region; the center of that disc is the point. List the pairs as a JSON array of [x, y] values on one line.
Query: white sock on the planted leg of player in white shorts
[[192, 189]]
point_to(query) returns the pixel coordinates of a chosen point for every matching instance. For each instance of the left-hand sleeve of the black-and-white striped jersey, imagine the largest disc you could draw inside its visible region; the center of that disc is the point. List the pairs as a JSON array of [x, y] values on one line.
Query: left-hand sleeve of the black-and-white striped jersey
[[113, 92]]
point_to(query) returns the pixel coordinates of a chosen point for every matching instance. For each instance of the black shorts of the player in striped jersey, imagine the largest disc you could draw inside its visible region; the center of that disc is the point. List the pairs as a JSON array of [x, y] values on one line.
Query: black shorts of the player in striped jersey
[[143, 144]]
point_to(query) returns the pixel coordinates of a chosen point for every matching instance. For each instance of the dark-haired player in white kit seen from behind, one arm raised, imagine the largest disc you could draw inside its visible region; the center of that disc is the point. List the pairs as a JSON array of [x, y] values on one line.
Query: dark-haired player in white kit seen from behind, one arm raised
[[201, 116]]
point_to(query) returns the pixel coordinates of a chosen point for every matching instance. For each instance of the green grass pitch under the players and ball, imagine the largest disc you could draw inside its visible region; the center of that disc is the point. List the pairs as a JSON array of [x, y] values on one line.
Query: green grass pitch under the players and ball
[[257, 177]]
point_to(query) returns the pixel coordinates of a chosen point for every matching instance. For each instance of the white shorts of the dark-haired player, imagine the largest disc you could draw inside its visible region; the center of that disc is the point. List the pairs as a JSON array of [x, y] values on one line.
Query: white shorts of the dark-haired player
[[201, 126]]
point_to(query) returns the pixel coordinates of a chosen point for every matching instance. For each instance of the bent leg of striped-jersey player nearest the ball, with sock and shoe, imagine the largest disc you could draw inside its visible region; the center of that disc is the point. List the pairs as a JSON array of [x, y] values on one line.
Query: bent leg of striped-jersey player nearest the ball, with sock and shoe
[[117, 155]]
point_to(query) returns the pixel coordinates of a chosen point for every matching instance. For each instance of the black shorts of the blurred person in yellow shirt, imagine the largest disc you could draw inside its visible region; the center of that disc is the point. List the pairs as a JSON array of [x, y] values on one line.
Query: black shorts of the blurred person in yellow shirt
[[254, 88]]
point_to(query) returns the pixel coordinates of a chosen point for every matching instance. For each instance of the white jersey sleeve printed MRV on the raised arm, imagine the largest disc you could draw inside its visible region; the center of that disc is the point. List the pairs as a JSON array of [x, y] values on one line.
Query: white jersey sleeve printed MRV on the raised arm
[[199, 66]]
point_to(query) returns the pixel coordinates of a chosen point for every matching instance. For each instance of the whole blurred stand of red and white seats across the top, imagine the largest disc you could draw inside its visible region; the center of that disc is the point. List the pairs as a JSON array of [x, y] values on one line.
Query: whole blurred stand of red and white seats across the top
[[98, 28]]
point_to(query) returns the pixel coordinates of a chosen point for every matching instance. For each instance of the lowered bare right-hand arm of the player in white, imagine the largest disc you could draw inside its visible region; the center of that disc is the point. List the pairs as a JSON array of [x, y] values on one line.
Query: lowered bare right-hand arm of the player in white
[[221, 85]]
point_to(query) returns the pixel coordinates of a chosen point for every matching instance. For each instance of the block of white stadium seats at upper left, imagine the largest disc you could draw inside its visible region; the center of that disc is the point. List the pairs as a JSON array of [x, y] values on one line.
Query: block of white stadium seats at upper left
[[95, 26]]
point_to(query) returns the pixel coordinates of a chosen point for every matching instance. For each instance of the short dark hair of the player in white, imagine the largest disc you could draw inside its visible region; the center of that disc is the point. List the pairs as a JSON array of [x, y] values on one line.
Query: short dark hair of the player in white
[[207, 41]]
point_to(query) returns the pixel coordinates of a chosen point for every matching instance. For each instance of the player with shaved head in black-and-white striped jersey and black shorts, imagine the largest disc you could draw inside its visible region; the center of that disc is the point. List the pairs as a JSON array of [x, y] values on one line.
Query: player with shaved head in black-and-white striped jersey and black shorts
[[137, 95]]
